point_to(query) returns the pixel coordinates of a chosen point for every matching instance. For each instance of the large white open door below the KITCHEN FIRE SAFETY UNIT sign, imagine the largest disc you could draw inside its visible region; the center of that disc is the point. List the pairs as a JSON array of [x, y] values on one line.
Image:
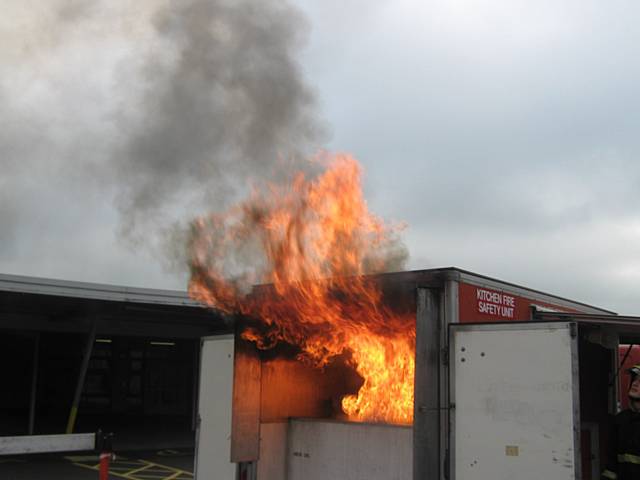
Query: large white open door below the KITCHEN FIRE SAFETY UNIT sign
[[514, 393]]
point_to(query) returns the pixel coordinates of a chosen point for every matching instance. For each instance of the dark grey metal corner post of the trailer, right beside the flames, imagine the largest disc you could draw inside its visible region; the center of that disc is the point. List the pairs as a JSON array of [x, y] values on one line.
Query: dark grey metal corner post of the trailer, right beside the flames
[[426, 416]]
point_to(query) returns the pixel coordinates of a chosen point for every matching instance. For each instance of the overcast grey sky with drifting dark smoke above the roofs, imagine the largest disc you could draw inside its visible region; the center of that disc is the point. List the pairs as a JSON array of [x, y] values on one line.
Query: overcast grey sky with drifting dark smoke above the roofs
[[504, 133]]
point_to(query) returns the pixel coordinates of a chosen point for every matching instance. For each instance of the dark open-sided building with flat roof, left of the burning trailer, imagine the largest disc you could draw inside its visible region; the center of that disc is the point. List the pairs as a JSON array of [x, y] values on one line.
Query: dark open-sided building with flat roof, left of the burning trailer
[[140, 380]]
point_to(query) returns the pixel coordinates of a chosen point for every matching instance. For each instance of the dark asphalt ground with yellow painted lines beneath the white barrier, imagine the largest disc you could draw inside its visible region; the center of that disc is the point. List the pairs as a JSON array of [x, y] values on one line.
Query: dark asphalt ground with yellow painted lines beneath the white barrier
[[166, 464]]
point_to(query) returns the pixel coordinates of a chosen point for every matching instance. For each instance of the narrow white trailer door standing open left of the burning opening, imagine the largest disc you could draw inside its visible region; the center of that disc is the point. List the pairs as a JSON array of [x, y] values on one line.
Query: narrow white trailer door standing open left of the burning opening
[[213, 442]]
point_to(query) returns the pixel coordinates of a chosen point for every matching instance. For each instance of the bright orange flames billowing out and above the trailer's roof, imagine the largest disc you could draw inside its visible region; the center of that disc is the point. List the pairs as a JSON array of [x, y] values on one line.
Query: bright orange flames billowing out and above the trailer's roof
[[315, 242]]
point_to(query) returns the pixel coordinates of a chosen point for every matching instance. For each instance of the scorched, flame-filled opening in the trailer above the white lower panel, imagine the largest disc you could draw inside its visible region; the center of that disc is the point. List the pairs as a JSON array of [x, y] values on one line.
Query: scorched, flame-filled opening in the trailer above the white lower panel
[[317, 383]]
